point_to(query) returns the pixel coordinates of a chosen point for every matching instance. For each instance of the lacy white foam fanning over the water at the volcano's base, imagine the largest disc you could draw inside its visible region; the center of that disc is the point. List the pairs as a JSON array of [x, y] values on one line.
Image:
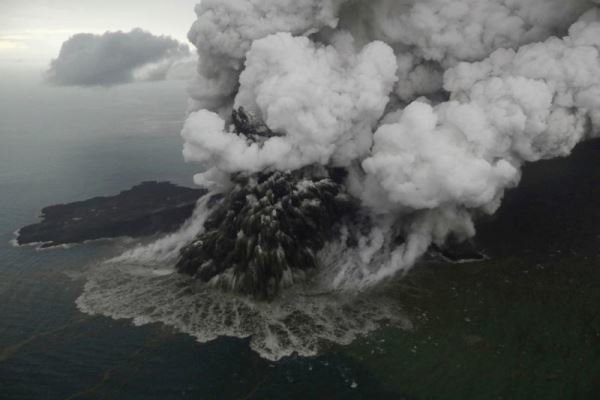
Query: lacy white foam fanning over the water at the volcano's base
[[299, 321]]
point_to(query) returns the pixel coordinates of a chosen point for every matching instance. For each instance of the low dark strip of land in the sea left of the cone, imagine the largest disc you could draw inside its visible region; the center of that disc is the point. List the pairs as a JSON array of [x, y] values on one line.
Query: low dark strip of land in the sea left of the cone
[[146, 209]]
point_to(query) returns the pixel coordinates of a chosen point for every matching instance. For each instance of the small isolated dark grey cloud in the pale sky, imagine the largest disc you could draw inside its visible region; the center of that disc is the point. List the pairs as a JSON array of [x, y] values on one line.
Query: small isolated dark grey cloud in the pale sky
[[118, 57]]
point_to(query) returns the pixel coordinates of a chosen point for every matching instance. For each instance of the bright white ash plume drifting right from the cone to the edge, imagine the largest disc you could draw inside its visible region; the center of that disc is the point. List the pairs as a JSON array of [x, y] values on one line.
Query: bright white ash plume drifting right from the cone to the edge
[[514, 107]]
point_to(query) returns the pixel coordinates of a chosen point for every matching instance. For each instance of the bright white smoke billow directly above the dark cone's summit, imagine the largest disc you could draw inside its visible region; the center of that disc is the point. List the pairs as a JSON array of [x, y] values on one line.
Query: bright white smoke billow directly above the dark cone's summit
[[355, 87]]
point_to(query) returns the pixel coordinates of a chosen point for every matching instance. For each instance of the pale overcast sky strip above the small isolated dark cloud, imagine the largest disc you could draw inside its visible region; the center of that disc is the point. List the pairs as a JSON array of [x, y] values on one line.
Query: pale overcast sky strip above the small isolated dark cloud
[[32, 31]]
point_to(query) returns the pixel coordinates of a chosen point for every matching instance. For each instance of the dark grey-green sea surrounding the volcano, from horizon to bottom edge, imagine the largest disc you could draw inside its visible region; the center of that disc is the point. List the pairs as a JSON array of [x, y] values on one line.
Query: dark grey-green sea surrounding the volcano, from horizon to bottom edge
[[524, 324]]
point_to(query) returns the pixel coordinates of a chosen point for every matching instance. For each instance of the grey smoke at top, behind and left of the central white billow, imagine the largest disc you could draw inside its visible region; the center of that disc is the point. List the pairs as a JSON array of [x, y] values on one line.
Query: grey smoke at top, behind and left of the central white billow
[[226, 29]]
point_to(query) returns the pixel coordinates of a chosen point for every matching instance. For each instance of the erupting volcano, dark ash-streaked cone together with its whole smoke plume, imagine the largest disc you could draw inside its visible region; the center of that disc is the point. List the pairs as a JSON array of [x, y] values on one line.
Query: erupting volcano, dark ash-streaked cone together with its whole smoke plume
[[413, 117]]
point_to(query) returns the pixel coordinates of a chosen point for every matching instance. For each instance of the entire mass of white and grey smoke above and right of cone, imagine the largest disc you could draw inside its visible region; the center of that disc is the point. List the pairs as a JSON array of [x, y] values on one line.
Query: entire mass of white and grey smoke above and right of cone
[[433, 106]]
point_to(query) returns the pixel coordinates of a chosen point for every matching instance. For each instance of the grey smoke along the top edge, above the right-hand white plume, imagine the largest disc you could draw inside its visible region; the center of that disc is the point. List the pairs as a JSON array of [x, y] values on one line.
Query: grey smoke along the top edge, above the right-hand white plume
[[430, 36]]
